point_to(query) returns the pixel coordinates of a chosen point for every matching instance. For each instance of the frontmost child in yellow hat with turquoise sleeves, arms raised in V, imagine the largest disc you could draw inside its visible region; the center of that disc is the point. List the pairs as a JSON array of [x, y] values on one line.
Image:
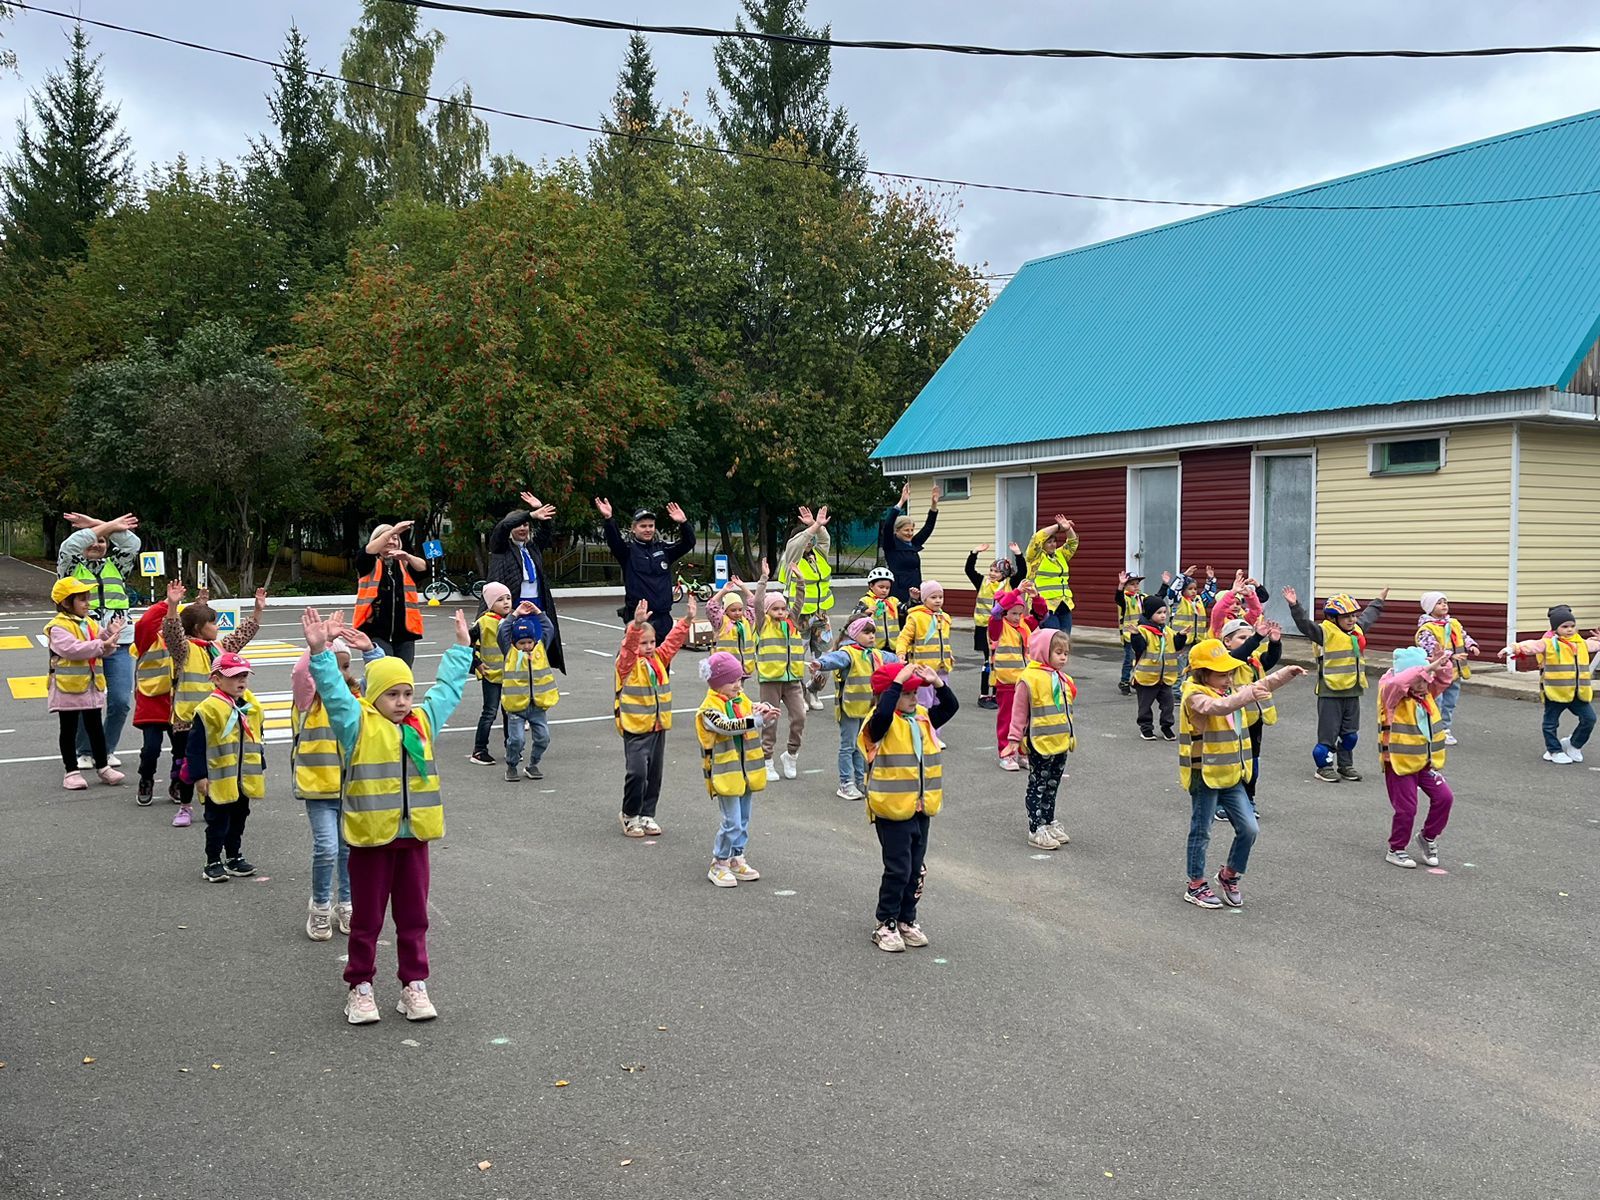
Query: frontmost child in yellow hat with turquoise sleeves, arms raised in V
[[393, 807]]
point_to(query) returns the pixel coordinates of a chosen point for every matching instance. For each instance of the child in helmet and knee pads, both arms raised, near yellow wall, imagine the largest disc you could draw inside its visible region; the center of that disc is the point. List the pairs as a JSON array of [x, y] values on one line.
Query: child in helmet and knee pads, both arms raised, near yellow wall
[[1340, 644]]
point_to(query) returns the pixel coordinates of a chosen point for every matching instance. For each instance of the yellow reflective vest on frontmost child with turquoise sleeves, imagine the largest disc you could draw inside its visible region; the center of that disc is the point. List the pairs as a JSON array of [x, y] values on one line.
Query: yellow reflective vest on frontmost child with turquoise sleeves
[[383, 785]]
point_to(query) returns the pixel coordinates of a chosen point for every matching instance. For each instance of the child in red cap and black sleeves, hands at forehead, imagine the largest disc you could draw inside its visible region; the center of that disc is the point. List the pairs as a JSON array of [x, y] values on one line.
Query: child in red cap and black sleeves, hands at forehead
[[905, 790]]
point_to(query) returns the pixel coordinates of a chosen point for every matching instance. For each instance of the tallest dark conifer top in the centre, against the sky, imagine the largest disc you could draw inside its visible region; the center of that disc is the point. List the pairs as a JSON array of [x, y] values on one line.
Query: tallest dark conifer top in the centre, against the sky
[[777, 92]]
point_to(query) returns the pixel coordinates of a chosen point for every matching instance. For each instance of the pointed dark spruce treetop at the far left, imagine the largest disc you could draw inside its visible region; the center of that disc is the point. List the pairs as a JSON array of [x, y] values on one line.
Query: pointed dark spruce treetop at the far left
[[68, 172]]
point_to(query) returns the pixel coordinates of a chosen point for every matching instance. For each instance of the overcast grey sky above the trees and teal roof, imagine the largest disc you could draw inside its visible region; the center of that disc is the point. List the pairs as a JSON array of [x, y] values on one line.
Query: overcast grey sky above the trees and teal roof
[[1175, 130]]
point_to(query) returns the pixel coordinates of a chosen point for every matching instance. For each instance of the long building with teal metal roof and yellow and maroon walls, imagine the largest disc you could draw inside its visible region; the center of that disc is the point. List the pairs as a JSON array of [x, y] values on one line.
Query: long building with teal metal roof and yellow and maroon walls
[[1284, 383]]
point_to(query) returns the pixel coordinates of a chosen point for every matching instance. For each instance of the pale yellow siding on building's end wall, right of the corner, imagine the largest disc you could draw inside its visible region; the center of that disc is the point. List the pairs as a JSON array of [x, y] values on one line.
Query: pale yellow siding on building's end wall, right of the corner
[[1558, 540]]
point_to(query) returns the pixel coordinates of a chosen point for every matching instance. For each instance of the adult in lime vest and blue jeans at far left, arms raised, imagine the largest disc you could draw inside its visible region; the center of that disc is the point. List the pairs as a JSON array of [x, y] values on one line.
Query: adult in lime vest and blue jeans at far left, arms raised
[[106, 556]]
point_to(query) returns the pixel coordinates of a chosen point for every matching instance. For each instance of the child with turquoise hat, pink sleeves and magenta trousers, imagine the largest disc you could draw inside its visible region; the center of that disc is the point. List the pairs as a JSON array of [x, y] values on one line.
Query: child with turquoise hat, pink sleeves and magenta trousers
[[1412, 750]]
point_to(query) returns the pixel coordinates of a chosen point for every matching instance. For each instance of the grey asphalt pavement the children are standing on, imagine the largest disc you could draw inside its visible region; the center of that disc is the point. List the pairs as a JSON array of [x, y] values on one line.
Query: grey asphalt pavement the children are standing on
[[615, 1026]]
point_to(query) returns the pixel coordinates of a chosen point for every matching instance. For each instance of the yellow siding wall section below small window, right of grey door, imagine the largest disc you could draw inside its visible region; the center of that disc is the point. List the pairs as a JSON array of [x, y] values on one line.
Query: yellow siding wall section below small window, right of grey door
[[1447, 530]]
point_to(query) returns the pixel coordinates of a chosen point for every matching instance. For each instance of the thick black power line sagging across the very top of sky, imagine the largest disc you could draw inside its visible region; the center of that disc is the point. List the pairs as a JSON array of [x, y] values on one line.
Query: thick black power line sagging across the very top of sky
[[993, 52]]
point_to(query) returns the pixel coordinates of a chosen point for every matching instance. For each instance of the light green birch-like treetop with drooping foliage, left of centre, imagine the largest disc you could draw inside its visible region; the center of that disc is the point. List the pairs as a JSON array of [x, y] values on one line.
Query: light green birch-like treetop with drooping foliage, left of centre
[[406, 146]]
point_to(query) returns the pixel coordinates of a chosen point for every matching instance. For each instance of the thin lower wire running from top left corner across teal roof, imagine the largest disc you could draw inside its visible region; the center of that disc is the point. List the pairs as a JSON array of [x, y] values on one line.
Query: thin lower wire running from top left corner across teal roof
[[766, 156]]
